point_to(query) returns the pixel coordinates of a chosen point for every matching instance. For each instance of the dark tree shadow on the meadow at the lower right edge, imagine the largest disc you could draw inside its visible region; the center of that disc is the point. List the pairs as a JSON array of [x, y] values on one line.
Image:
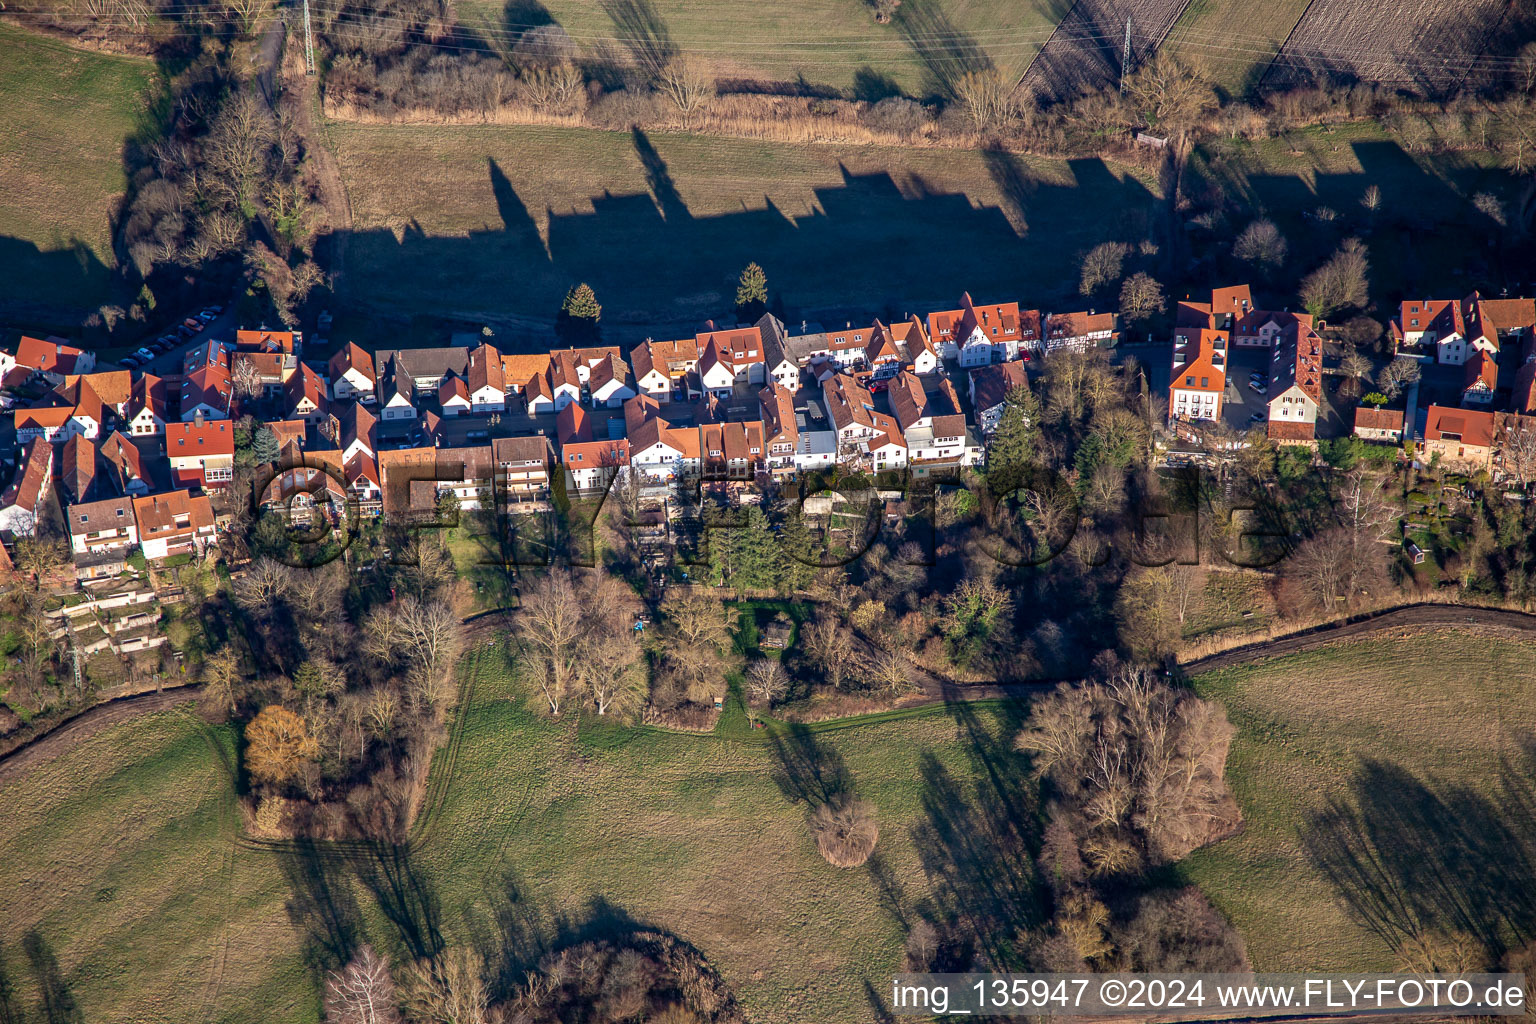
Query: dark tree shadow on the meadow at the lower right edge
[[1417, 857]]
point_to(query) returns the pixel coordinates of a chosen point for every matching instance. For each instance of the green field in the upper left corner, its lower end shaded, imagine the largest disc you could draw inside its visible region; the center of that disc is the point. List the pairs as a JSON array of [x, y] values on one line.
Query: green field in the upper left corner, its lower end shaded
[[65, 116]]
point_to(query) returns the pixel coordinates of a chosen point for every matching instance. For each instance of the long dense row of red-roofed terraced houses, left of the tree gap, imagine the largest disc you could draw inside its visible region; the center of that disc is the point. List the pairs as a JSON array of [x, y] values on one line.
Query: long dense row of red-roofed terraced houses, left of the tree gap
[[396, 429]]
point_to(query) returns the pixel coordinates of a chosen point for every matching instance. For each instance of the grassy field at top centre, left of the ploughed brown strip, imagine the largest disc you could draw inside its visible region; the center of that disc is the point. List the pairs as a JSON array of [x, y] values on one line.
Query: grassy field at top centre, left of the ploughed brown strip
[[812, 42]]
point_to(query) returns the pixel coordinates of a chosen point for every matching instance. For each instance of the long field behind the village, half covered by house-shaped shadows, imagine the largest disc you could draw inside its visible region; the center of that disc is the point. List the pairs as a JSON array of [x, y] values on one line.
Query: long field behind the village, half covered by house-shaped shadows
[[505, 220]]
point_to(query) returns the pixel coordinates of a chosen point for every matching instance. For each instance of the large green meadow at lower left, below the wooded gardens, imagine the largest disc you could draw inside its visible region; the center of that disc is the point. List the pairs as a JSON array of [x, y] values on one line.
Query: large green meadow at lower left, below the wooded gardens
[[124, 857]]
